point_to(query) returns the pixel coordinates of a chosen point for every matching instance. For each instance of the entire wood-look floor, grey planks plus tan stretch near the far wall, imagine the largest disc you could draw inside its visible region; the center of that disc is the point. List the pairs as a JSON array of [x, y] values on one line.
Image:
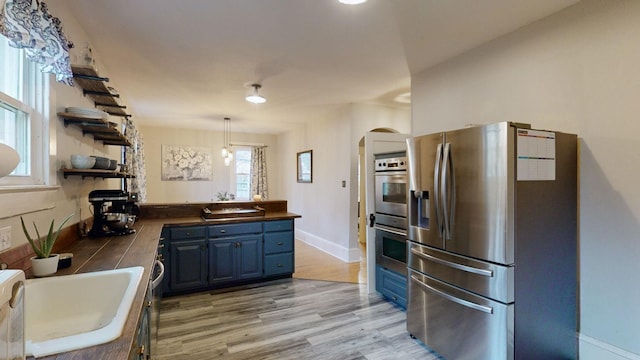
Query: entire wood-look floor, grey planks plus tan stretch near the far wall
[[289, 319]]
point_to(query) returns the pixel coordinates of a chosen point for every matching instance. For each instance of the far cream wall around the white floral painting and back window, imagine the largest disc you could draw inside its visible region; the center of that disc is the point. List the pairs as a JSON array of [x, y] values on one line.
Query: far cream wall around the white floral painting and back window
[[159, 191]]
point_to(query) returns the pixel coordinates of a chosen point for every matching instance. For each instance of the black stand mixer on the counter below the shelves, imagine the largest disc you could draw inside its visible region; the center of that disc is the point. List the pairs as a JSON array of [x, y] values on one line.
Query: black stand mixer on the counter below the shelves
[[114, 212]]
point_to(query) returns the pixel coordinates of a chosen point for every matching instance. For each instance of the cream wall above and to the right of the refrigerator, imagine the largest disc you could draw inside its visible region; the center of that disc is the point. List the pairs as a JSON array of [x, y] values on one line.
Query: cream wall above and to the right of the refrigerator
[[577, 71]]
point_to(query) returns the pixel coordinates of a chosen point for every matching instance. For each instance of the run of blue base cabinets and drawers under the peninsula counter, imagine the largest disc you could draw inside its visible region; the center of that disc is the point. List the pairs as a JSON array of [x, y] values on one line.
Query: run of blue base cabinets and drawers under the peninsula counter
[[203, 257]]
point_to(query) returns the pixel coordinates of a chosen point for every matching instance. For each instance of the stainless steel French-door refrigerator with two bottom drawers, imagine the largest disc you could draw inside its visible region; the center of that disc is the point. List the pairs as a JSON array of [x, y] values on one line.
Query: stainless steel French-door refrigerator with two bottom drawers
[[492, 215]]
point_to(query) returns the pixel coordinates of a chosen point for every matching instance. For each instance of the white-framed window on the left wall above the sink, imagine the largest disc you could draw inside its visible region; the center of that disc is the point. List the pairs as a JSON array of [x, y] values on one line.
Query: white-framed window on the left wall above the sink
[[23, 94]]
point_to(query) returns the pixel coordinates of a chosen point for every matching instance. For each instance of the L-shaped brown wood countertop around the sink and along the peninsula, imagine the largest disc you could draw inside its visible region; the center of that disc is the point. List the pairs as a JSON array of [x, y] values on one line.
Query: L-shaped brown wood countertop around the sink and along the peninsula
[[140, 249]]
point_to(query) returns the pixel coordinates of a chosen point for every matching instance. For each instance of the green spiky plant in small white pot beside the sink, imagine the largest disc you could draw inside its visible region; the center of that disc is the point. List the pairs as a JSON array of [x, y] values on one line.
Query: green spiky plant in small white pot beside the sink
[[44, 264]]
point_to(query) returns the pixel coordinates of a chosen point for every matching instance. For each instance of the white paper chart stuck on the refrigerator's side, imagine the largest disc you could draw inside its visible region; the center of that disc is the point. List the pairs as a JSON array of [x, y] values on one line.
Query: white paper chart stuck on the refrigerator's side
[[536, 155]]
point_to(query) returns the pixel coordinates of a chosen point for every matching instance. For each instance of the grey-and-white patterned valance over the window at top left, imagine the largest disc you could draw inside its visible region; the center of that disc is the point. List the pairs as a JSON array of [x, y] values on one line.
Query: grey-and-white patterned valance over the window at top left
[[28, 25]]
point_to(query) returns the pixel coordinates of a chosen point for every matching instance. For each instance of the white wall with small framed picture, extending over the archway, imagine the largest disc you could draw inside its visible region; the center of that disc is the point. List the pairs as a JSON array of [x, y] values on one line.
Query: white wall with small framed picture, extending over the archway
[[329, 211]]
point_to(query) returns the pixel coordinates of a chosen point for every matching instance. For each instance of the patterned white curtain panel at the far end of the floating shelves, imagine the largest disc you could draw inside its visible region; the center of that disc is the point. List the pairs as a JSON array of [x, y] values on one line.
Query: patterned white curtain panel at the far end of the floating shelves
[[135, 160]]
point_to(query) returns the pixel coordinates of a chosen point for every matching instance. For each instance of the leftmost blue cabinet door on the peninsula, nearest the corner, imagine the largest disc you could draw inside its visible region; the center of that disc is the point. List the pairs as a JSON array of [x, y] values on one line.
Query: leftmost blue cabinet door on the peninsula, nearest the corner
[[188, 265]]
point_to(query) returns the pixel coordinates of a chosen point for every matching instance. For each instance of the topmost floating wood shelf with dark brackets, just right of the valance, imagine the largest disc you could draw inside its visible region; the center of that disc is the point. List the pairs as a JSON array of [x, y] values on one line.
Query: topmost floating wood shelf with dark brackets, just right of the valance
[[94, 87]]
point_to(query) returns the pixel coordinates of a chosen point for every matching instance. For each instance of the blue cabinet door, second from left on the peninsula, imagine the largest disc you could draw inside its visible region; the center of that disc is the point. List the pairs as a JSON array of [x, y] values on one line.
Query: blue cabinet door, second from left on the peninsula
[[222, 260]]
